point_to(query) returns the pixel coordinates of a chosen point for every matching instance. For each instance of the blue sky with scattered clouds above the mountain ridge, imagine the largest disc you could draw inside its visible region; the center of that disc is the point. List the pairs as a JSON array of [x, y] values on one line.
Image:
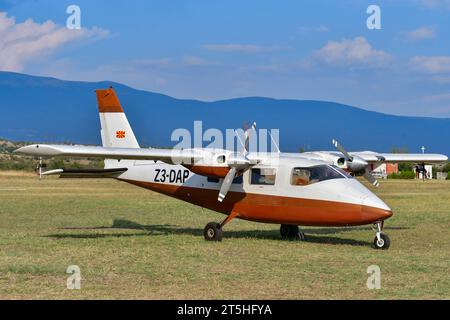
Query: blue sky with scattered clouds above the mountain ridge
[[212, 50]]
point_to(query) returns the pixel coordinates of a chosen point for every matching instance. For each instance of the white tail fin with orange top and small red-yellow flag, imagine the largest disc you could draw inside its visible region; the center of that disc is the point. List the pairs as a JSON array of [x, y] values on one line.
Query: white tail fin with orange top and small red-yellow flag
[[116, 130]]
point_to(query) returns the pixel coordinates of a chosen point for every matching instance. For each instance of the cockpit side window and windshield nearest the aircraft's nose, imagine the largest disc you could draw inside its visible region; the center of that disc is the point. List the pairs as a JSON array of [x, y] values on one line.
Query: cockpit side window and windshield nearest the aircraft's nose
[[310, 175]]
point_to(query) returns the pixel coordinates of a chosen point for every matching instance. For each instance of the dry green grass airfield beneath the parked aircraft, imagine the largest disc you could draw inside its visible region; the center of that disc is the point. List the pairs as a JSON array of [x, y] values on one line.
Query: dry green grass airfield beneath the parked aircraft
[[132, 243]]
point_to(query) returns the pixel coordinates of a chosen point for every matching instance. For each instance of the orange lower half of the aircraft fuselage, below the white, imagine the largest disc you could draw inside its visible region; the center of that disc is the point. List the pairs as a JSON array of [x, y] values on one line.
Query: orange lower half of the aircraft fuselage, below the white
[[273, 209]]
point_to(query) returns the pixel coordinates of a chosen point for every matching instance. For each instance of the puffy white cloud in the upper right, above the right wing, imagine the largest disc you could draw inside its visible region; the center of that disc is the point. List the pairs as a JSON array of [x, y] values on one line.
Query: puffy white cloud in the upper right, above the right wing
[[352, 52]]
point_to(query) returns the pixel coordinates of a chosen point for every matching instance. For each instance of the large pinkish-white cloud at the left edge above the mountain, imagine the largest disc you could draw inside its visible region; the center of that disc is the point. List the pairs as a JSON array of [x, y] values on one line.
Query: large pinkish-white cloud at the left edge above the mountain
[[20, 43]]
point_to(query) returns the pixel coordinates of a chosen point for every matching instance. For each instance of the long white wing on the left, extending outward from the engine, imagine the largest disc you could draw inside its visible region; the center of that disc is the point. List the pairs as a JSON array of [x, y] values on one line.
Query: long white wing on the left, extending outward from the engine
[[170, 156]]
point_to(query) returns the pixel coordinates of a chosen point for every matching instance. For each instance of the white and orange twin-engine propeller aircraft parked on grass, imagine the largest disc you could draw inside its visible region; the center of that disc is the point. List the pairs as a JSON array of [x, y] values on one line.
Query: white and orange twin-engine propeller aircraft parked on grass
[[309, 189]]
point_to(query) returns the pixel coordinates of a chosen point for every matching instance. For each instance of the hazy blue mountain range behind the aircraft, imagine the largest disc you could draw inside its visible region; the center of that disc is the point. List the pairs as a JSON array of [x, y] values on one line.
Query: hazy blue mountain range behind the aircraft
[[42, 109]]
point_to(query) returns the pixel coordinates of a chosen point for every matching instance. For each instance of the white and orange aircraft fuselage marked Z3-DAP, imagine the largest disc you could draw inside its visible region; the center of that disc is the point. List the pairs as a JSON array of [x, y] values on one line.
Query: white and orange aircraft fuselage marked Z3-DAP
[[339, 201]]
